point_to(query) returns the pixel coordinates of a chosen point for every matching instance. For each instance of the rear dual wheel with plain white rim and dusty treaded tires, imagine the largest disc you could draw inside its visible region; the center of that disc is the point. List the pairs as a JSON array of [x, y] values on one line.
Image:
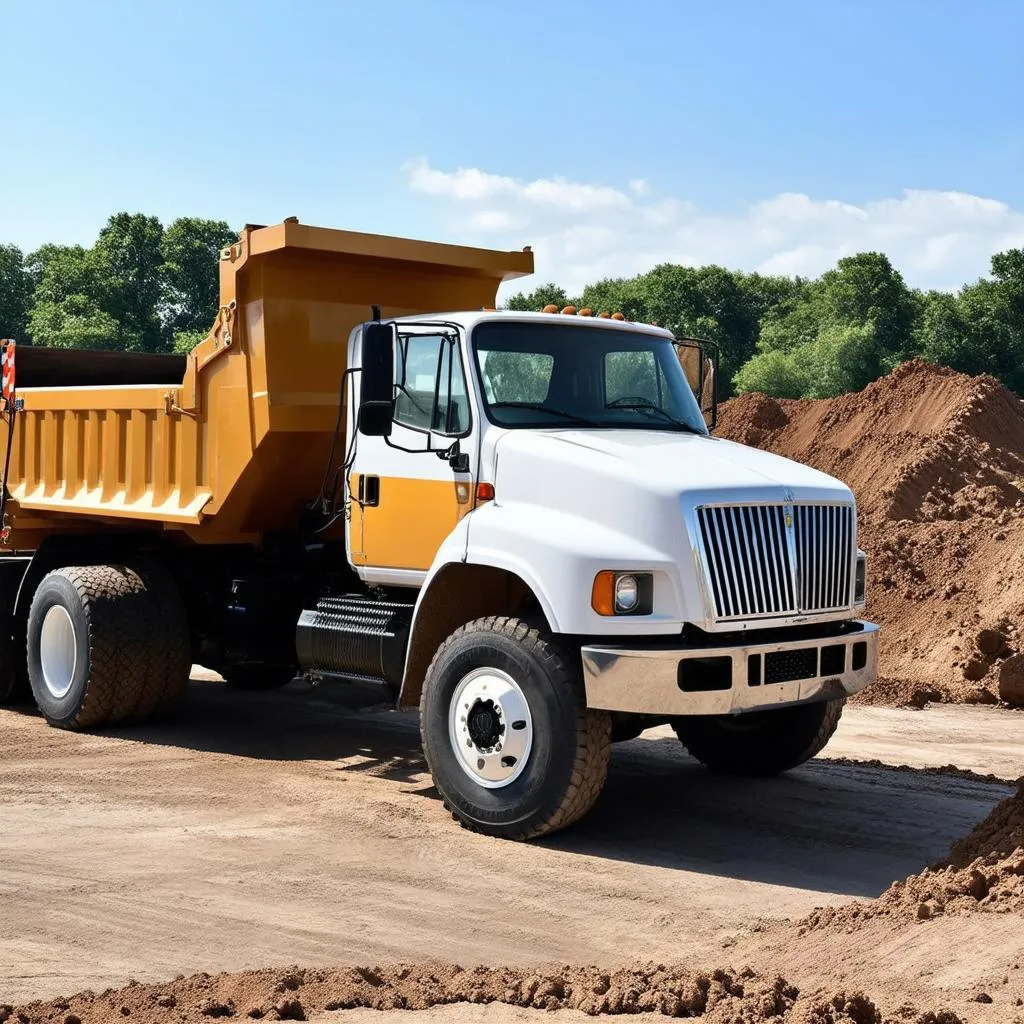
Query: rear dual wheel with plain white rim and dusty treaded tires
[[107, 645]]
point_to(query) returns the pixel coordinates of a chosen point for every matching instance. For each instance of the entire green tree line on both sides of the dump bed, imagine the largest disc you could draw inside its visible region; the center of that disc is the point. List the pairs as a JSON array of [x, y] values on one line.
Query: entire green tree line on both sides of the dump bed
[[143, 287]]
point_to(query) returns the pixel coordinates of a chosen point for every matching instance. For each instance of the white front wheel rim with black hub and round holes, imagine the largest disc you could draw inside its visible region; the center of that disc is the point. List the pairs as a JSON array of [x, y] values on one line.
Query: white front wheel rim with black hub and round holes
[[491, 728]]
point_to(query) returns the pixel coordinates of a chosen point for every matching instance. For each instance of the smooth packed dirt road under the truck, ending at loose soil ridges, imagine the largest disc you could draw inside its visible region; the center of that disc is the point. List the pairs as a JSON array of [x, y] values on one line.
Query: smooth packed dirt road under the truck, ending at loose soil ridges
[[292, 828]]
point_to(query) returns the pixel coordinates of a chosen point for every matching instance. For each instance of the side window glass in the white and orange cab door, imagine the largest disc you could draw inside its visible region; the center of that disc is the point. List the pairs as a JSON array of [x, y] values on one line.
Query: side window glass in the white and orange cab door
[[432, 386]]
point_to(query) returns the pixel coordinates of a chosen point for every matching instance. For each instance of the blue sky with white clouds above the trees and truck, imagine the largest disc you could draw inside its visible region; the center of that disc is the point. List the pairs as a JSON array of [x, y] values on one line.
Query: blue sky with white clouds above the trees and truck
[[608, 136]]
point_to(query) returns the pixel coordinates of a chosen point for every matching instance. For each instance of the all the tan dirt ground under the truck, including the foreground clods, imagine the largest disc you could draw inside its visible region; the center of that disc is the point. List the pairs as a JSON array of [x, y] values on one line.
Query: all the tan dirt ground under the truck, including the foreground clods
[[294, 829]]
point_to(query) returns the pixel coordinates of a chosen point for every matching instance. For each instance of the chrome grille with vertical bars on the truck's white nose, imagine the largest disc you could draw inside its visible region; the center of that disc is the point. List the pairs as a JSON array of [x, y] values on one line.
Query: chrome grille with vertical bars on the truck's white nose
[[757, 568]]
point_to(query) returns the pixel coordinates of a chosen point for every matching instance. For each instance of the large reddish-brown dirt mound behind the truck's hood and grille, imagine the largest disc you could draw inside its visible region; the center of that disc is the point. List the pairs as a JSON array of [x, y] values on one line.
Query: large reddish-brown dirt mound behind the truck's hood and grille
[[936, 461]]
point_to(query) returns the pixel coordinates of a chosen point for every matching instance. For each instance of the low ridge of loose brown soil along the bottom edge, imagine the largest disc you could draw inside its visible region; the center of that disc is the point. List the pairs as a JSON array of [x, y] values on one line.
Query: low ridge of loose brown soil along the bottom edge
[[719, 998]]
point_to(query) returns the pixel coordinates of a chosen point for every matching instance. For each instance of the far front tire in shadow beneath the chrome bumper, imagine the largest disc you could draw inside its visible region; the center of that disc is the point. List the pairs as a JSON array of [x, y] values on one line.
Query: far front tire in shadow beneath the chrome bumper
[[765, 743]]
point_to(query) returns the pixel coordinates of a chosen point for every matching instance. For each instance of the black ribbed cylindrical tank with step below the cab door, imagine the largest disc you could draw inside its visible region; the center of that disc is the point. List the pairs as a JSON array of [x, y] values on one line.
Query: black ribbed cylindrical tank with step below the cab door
[[355, 635]]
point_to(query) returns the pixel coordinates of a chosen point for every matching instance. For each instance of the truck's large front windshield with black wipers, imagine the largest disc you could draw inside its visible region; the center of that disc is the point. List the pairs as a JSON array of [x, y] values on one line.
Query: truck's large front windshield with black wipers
[[546, 375]]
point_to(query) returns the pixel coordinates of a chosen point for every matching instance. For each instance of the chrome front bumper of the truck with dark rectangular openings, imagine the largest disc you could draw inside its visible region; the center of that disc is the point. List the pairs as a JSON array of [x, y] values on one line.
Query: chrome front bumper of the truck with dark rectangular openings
[[728, 680]]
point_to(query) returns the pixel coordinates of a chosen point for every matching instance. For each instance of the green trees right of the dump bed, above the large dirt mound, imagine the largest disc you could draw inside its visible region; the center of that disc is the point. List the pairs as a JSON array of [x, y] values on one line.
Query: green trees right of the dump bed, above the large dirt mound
[[815, 338]]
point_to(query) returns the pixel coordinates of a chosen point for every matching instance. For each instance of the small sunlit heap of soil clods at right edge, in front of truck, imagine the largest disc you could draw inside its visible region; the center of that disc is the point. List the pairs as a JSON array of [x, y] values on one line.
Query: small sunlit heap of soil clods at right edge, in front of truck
[[984, 873]]
